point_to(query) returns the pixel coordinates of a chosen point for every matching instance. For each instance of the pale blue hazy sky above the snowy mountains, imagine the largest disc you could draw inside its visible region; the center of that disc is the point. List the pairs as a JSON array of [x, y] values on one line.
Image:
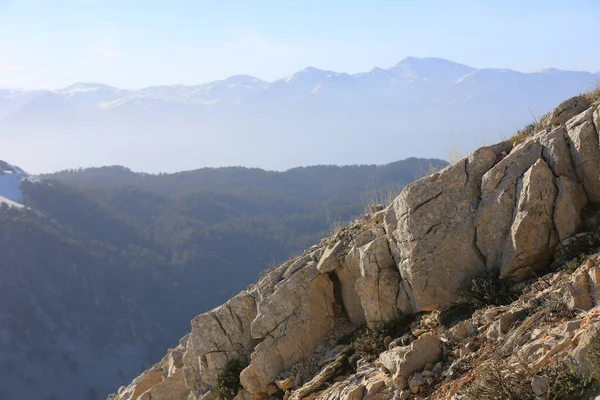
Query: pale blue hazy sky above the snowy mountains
[[132, 43]]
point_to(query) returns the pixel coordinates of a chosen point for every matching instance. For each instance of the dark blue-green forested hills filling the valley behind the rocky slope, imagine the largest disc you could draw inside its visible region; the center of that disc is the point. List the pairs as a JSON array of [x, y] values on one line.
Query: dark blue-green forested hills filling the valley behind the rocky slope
[[117, 263]]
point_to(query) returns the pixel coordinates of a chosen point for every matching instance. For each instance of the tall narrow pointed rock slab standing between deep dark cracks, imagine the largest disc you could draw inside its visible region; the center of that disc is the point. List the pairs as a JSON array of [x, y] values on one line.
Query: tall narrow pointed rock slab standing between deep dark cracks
[[530, 232]]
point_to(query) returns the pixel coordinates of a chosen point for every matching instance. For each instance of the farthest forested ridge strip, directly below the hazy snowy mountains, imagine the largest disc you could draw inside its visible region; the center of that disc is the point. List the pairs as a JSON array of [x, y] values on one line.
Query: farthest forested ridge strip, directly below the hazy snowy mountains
[[314, 182]]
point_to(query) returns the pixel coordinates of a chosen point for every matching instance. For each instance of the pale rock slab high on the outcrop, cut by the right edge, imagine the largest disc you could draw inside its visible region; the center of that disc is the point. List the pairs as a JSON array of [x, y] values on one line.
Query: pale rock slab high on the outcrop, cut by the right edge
[[585, 151]]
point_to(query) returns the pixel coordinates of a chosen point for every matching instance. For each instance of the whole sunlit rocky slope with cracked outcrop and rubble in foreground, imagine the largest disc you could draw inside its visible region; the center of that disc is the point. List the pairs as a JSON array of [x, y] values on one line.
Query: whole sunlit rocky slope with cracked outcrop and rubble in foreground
[[507, 211]]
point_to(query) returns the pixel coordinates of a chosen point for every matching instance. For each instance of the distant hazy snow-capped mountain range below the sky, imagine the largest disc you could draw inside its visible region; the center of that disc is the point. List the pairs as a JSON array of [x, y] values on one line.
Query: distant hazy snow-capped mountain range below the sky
[[419, 107]]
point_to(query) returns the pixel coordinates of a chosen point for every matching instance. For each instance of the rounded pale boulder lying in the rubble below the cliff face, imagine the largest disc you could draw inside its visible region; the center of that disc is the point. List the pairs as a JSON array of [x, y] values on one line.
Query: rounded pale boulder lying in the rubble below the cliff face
[[406, 360]]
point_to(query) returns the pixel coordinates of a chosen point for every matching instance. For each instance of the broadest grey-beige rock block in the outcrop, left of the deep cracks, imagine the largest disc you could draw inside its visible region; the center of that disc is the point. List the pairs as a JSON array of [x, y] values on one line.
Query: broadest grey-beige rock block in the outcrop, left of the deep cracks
[[434, 231]]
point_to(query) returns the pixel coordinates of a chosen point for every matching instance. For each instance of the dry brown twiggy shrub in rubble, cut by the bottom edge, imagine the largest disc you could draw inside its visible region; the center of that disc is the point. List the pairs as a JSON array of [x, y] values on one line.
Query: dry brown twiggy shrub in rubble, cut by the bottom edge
[[497, 381]]
